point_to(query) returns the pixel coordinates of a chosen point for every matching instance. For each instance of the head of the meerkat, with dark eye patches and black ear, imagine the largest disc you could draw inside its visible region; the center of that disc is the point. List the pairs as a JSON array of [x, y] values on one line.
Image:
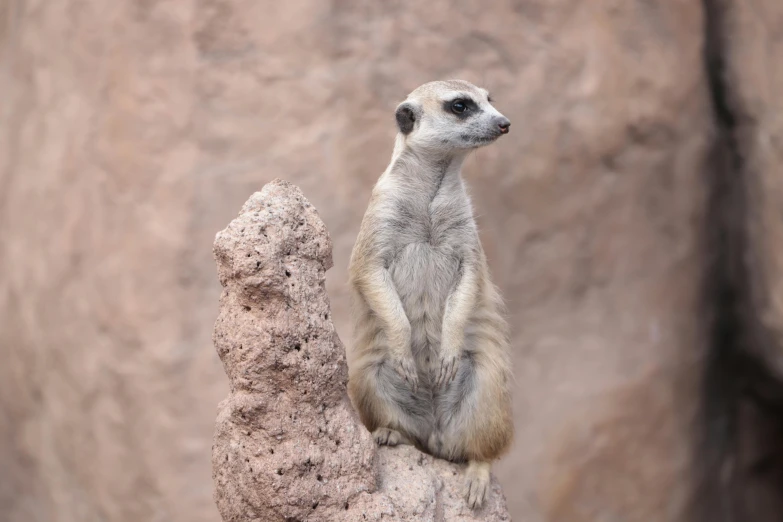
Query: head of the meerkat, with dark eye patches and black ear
[[450, 115]]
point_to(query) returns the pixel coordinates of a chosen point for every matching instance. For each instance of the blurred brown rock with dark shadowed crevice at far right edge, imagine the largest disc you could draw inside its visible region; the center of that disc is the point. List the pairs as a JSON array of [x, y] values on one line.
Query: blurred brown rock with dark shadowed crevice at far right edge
[[745, 370]]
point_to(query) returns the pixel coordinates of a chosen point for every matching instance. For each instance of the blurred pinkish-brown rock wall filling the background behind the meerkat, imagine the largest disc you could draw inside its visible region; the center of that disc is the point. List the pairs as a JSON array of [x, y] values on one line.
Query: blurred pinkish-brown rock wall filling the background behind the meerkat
[[131, 131]]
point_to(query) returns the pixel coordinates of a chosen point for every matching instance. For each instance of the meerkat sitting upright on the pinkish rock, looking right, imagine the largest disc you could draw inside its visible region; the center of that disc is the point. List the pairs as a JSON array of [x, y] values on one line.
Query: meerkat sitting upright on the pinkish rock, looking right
[[429, 364]]
